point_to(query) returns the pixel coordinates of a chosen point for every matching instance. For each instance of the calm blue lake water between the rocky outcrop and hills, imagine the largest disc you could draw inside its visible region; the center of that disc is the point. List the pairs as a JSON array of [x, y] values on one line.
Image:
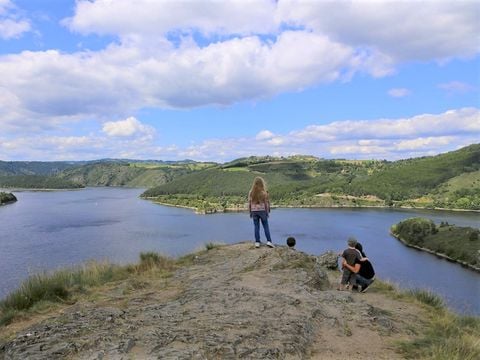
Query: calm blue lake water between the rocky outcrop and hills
[[47, 230]]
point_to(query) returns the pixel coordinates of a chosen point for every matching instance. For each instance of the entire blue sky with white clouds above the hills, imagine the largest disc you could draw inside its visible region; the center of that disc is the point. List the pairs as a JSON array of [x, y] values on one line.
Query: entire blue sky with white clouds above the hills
[[218, 80]]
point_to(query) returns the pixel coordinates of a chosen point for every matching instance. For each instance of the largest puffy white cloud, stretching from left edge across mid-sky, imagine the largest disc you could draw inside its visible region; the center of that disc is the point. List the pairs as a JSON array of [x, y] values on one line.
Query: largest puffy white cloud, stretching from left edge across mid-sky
[[121, 79]]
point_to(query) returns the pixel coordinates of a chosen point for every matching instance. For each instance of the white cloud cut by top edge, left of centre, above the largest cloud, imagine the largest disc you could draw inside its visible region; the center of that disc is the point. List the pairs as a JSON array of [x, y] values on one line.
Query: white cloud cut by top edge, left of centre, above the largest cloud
[[153, 18]]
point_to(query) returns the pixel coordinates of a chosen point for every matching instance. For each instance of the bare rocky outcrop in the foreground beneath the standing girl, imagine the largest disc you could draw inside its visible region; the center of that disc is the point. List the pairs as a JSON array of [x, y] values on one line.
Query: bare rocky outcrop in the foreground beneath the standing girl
[[233, 302]]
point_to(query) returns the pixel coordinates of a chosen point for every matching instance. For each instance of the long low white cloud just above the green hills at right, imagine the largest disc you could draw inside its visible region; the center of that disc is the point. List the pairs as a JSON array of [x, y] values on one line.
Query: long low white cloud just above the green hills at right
[[391, 139]]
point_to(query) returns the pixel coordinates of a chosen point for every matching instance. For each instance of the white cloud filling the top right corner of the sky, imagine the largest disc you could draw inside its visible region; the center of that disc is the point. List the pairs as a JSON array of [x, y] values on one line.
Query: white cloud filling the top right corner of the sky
[[403, 30]]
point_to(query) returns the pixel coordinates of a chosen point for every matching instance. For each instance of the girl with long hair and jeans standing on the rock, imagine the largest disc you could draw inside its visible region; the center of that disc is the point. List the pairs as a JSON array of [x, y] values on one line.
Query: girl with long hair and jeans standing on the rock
[[259, 207]]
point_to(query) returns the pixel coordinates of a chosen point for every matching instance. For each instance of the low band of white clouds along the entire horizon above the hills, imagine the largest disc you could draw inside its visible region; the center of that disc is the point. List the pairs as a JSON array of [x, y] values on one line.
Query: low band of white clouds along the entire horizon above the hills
[[390, 139]]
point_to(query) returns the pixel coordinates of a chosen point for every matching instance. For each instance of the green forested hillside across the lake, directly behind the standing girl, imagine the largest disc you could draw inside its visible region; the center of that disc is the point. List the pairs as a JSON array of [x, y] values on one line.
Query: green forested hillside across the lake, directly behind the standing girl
[[308, 181]]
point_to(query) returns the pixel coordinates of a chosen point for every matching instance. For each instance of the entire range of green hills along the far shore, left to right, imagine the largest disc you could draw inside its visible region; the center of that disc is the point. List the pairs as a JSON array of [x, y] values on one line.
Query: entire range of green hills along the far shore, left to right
[[449, 180]]
